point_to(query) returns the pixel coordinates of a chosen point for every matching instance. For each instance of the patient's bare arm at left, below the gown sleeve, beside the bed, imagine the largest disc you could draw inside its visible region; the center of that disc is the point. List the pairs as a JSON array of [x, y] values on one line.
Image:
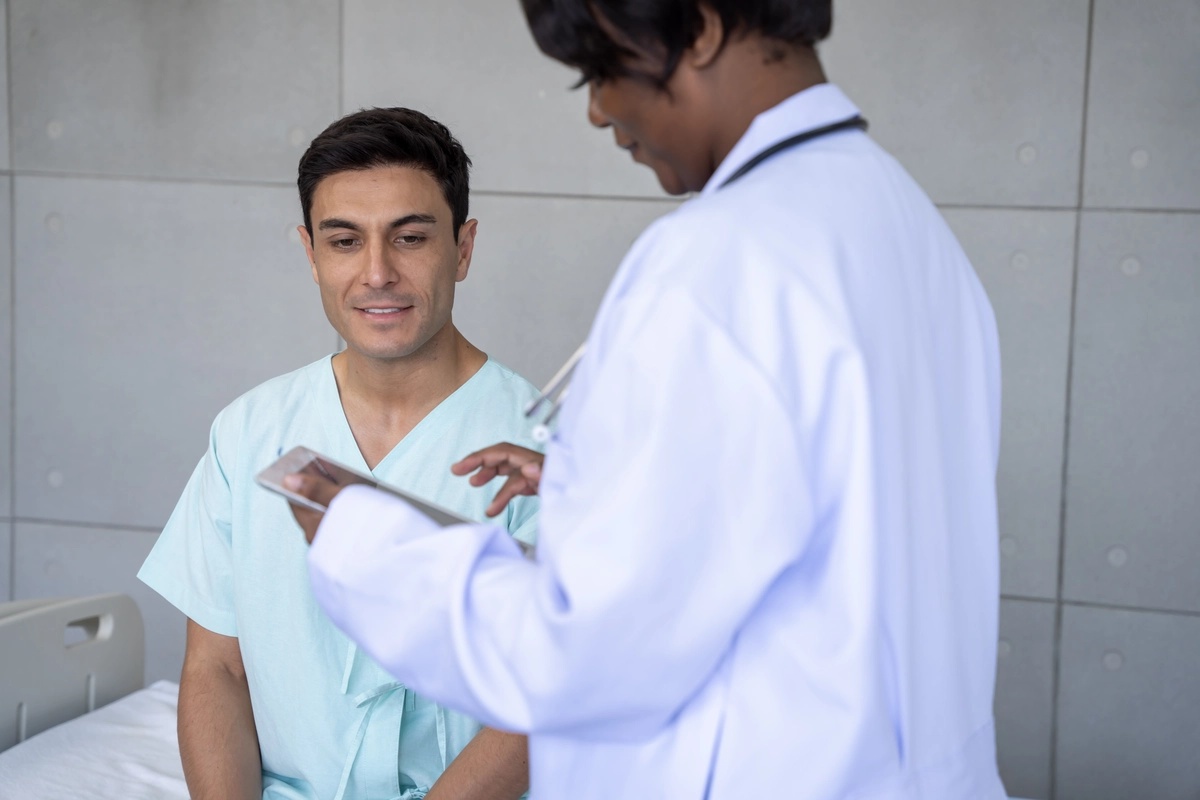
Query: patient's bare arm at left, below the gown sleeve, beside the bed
[[218, 739]]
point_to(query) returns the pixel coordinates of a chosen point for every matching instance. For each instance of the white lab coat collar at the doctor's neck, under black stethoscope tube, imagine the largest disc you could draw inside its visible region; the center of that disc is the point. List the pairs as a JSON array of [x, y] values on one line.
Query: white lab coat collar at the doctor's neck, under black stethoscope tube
[[809, 110]]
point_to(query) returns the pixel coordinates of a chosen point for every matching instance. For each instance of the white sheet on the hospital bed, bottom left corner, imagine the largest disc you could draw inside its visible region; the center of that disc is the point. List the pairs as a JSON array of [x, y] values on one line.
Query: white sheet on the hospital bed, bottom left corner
[[128, 750]]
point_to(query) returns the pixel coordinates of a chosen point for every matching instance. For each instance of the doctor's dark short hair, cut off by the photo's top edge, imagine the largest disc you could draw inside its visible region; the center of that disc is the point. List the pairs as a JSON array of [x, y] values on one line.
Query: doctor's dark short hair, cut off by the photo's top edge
[[569, 32]]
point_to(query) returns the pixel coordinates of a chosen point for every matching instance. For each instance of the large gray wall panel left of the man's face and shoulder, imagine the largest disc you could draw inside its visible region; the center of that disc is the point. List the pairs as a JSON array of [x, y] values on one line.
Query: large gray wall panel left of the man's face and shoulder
[[130, 340]]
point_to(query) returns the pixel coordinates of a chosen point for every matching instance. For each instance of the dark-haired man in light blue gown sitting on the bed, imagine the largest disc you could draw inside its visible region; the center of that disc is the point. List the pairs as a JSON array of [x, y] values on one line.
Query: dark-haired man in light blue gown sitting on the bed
[[274, 701]]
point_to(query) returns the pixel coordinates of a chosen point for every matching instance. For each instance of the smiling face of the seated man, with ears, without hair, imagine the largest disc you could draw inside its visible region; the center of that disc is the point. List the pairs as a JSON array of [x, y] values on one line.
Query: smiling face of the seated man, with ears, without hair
[[386, 258]]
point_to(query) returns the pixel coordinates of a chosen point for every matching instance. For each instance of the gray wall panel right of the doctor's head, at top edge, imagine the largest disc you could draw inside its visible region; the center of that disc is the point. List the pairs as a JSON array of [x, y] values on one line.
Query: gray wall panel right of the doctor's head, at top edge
[[982, 101]]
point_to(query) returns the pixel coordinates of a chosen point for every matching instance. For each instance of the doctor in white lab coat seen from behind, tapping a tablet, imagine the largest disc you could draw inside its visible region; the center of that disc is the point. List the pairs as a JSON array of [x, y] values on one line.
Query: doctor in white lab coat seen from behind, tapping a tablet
[[767, 562]]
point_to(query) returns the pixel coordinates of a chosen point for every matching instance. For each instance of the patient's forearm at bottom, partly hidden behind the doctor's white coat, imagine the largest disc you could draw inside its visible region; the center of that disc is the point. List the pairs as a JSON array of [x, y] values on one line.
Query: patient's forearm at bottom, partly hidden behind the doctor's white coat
[[494, 766]]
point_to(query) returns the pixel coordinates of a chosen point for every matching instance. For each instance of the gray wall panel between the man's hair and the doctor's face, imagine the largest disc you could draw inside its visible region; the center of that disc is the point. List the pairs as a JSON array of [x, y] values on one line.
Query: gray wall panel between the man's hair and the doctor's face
[[475, 68]]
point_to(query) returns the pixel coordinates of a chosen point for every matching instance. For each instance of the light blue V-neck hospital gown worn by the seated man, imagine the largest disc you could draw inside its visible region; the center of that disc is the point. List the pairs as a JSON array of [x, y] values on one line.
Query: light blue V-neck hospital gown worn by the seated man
[[332, 724]]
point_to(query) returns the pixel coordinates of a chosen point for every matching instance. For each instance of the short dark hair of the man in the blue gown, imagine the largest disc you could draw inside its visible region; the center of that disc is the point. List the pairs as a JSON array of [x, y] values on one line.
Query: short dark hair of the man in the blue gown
[[388, 137]]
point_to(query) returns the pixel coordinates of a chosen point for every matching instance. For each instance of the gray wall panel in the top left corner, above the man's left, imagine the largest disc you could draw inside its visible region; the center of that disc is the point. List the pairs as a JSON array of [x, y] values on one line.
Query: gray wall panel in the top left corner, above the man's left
[[218, 89]]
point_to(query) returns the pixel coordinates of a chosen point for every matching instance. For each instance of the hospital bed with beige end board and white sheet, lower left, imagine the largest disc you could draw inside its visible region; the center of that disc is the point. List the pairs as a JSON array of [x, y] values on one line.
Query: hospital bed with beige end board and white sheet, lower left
[[75, 719]]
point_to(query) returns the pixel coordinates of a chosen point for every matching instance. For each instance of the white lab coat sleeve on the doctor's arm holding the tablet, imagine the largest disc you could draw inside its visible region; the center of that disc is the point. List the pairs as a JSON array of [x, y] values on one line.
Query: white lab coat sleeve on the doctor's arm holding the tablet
[[676, 503]]
